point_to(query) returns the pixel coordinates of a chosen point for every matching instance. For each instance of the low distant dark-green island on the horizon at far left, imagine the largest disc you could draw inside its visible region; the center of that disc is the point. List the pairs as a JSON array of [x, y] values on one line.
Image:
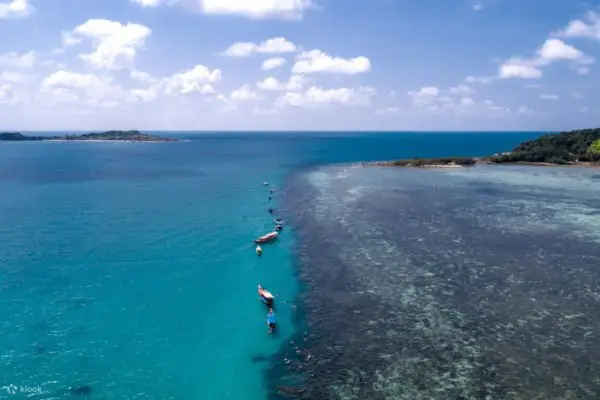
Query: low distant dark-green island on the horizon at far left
[[127, 136]]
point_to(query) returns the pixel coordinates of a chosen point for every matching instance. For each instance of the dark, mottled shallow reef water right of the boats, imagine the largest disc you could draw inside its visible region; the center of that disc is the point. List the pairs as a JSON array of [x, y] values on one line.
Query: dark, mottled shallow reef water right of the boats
[[478, 283]]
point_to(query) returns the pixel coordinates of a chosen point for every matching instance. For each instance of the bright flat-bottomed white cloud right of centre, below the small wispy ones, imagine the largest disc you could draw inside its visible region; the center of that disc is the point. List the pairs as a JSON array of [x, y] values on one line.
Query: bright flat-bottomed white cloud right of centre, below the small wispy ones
[[315, 61]]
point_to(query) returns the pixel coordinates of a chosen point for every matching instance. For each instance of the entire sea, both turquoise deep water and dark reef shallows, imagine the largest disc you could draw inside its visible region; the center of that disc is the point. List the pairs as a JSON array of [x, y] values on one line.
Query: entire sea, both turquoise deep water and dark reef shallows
[[128, 269]]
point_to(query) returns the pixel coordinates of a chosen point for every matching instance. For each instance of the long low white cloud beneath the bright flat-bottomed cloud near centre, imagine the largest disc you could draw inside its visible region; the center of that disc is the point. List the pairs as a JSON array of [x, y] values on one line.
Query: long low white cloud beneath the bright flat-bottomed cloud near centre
[[317, 96]]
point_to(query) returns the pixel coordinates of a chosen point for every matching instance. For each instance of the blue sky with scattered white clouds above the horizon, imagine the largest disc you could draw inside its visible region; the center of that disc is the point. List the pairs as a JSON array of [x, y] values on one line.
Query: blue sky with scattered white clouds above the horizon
[[299, 64]]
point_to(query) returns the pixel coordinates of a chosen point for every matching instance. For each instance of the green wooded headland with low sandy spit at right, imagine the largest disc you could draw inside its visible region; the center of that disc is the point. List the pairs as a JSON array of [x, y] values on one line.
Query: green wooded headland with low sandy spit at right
[[579, 147]]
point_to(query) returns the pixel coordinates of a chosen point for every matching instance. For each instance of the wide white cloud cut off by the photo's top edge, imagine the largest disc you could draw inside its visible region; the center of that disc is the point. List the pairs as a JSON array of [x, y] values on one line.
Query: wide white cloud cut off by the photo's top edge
[[258, 9]]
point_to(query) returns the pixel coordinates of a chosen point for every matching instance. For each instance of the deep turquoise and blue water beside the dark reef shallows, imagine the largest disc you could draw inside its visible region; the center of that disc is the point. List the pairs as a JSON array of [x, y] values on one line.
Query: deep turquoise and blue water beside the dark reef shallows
[[128, 269]]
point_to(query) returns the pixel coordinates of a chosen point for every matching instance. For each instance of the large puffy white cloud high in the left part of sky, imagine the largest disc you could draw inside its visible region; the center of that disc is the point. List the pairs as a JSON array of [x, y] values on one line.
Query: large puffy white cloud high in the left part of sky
[[115, 44]]
